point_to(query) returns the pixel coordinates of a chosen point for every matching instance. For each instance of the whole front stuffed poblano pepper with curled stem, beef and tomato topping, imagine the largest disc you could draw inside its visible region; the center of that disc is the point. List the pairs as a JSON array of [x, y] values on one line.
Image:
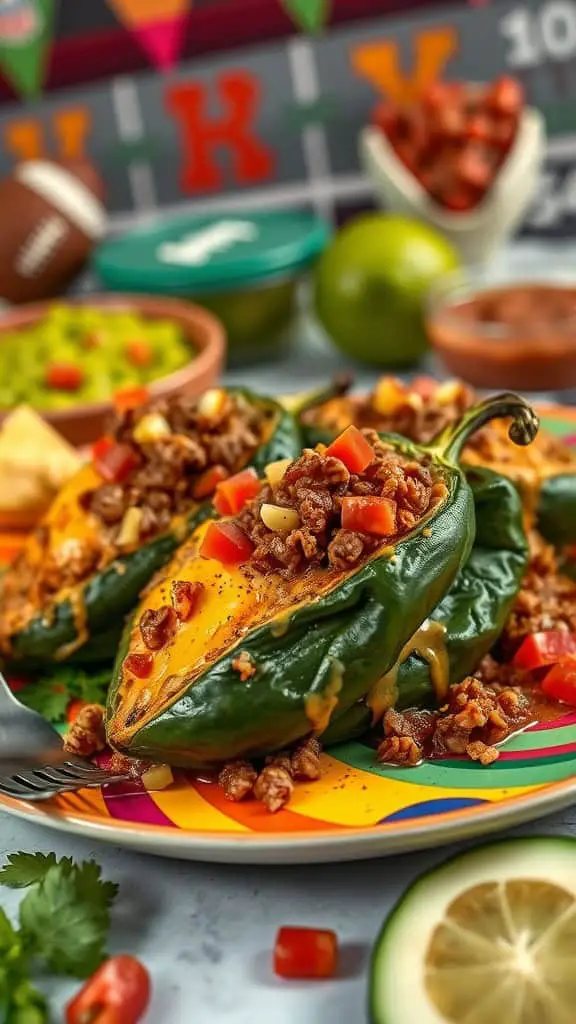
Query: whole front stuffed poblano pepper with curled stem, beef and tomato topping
[[268, 624]]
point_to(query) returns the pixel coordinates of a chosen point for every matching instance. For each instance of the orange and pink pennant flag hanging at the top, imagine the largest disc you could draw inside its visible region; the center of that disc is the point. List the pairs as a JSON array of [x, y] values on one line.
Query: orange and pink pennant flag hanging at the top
[[158, 26]]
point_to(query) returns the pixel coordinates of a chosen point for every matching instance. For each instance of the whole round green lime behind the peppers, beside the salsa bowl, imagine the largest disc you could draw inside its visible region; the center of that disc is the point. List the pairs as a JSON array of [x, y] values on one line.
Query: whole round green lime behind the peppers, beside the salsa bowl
[[372, 283]]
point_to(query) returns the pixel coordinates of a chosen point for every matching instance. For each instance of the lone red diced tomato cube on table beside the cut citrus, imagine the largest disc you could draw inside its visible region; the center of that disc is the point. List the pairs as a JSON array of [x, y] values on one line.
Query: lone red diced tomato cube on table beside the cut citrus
[[306, 953]]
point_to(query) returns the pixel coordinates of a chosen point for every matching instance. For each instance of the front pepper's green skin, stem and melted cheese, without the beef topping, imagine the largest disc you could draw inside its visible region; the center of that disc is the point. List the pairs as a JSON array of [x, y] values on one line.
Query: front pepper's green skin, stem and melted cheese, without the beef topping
[[316, 645]]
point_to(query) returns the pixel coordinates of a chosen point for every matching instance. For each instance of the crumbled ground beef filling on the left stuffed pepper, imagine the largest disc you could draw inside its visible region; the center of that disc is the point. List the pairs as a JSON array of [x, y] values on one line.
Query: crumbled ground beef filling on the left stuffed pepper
[[170, 472]]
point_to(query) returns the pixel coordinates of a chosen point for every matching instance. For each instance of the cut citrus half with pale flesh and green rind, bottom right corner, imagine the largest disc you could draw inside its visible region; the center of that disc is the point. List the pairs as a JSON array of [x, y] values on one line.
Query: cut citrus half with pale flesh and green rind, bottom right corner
[[486, 938]]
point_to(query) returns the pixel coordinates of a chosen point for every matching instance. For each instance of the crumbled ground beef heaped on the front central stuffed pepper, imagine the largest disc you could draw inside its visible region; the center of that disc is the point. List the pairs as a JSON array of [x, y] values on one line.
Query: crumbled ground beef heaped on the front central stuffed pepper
[[313, 488]]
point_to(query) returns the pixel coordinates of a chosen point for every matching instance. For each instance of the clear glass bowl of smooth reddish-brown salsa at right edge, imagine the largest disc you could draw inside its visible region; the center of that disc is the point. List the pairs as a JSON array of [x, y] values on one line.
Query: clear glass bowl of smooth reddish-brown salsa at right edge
[[507, 331]]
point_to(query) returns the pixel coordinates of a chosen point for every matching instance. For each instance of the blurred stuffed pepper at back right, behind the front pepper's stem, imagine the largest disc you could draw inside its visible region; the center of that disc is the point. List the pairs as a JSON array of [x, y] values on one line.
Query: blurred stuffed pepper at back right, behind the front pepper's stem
[[546, 475]]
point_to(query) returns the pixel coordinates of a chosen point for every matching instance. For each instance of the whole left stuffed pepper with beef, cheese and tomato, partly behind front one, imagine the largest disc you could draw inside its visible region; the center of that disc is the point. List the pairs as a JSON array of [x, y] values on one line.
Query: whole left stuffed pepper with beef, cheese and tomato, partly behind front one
[[124, 516]]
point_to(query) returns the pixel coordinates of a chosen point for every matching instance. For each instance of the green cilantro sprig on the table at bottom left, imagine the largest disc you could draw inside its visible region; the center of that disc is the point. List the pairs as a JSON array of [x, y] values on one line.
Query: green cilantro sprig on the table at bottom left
[[64, 921]]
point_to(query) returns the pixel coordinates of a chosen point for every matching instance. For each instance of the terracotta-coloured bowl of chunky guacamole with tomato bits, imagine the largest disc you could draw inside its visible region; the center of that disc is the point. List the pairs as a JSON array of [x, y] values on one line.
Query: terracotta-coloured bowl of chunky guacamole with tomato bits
[[68, 360]]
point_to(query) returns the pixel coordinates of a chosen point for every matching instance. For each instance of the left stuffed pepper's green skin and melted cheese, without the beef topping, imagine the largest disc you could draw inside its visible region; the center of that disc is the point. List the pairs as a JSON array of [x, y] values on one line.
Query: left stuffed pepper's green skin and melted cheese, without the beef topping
[[86, 624]]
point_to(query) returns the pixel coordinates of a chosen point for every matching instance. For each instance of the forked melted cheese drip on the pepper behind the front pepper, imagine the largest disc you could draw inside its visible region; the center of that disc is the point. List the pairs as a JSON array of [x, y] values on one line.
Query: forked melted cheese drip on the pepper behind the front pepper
[[430, 644]]
